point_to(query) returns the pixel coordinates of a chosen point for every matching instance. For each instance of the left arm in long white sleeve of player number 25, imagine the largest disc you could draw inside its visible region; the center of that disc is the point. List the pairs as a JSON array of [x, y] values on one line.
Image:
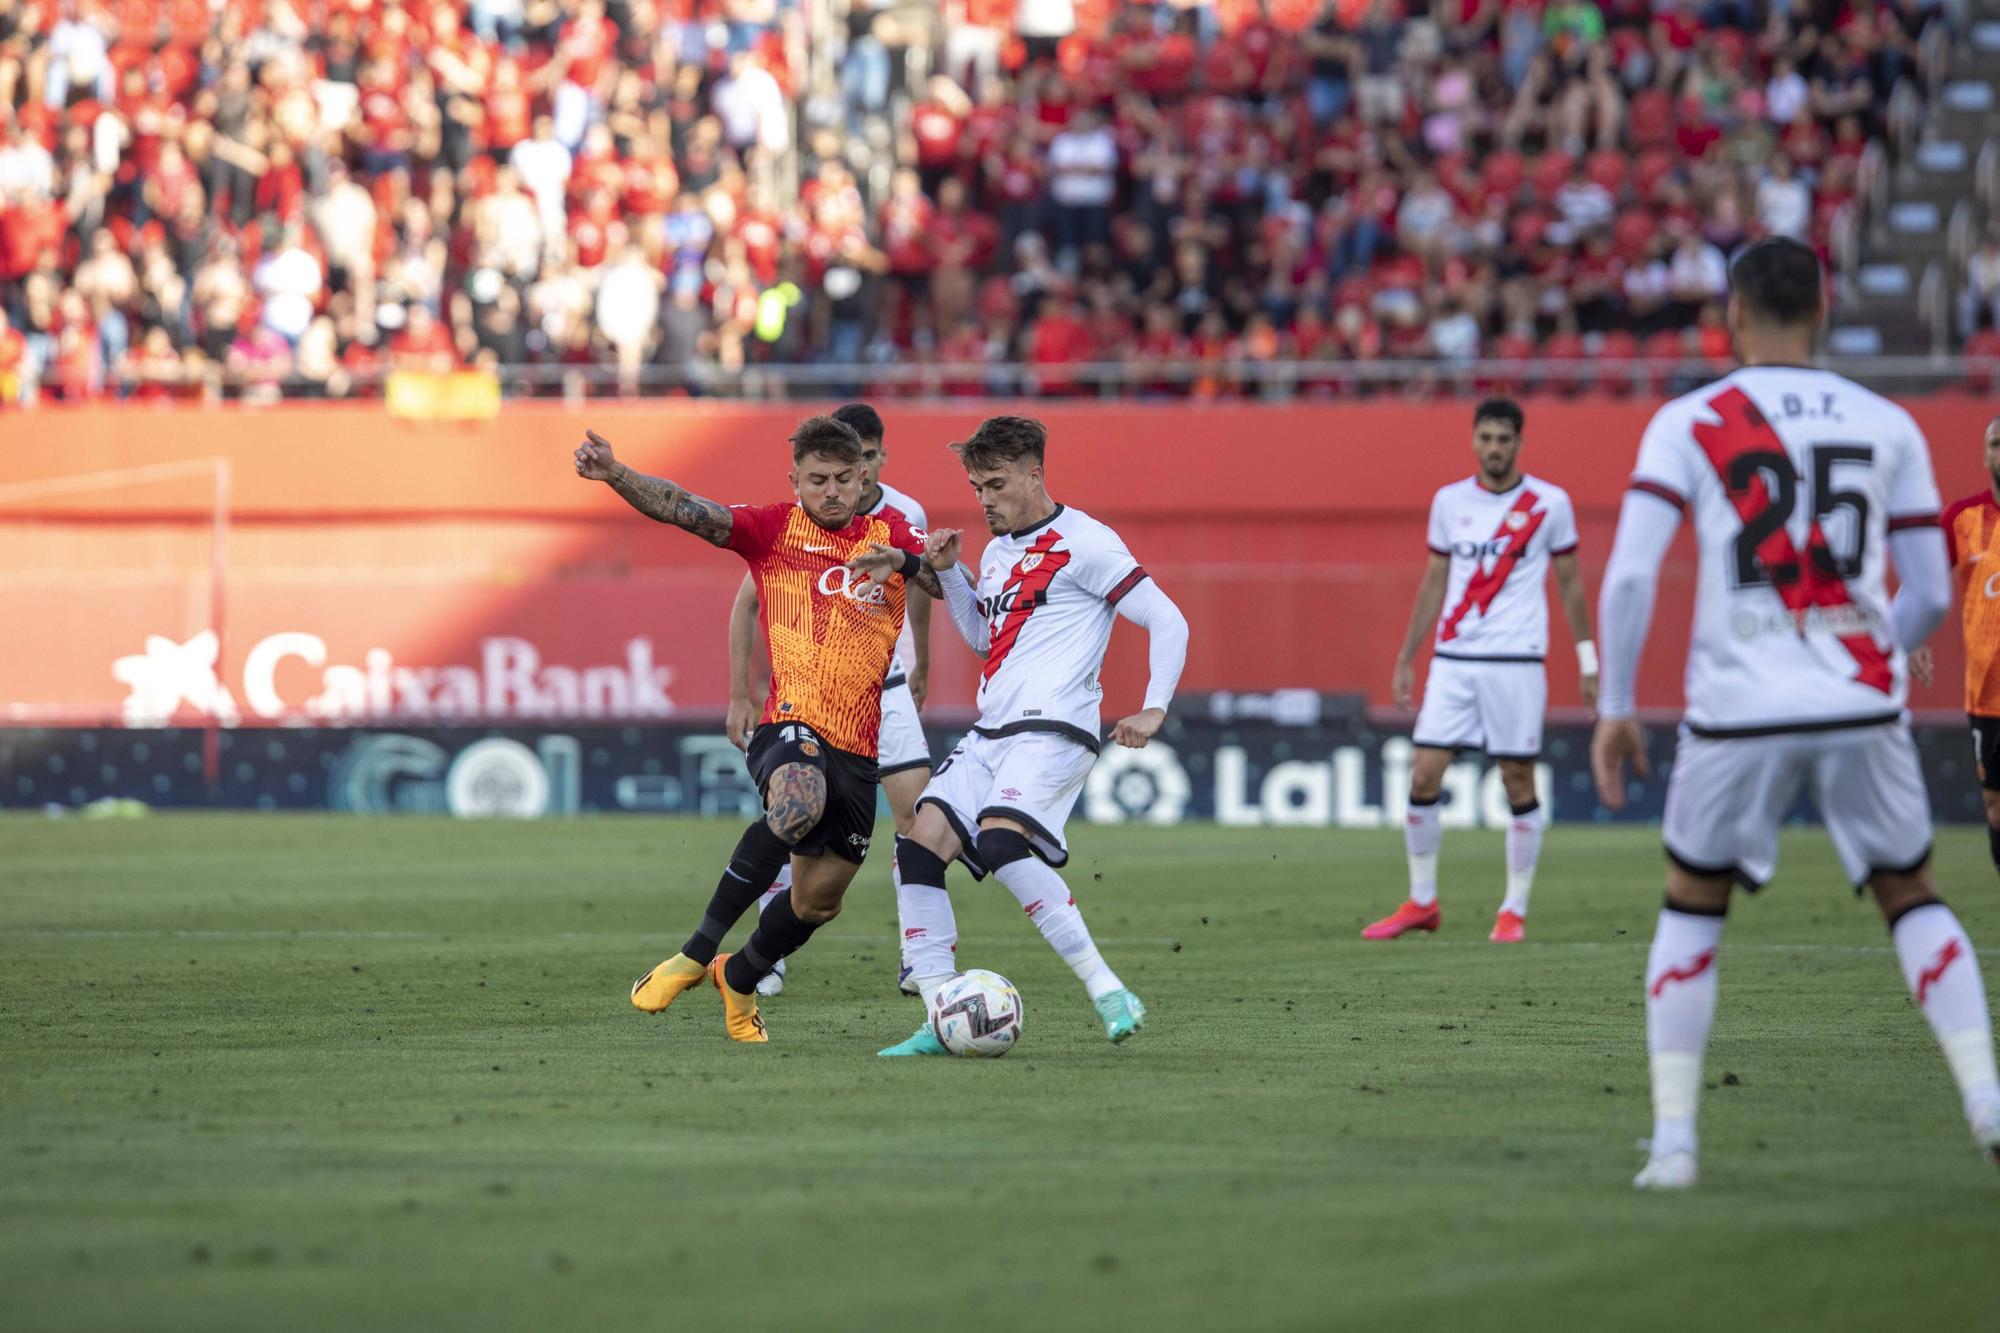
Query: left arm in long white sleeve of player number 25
[[1647, 527]]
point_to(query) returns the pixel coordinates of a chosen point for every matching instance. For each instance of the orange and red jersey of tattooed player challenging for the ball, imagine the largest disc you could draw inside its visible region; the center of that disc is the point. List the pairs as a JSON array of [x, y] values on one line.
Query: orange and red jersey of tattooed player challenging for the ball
[[831, 633]]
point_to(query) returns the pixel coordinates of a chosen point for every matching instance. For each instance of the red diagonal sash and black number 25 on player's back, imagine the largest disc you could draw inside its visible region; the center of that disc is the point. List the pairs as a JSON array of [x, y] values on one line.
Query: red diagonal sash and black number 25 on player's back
[[1763, 485]]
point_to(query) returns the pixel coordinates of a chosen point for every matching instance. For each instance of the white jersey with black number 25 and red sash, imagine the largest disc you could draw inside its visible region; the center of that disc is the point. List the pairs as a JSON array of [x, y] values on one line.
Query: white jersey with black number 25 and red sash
[[1795, 479]]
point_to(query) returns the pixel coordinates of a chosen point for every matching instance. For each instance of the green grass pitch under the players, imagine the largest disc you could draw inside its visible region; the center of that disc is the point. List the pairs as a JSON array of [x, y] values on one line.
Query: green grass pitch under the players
[[297, 1074]]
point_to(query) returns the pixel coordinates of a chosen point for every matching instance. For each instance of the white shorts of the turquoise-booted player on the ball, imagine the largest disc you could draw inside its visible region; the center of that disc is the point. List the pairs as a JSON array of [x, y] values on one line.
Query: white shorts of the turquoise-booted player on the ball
[[1033, 778]]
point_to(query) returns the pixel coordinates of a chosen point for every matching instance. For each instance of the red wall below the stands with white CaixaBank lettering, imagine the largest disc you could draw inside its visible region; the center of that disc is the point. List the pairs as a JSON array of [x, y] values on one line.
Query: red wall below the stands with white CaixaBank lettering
[[445, 571]]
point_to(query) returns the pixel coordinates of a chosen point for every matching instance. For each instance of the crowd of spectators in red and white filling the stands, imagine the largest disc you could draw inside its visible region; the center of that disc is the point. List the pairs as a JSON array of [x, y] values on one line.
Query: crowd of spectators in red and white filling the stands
[[291, 197]]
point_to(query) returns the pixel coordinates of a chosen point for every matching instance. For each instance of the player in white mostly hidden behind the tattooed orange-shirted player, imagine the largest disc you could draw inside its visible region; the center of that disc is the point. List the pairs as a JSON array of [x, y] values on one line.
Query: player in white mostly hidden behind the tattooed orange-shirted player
[[905, 756]]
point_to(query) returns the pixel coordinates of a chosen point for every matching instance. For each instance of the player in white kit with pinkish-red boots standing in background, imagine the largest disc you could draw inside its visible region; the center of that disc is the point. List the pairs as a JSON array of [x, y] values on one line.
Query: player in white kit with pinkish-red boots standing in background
[[1493, 541]]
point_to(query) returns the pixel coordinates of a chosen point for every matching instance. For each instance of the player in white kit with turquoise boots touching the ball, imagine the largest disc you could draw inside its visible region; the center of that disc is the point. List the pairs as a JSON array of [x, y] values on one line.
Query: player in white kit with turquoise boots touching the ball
[[1041, 613]]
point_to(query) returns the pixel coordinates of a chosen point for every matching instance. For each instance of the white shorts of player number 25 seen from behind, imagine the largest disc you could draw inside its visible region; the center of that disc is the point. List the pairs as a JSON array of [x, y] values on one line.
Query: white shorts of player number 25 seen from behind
[[1727, 800]]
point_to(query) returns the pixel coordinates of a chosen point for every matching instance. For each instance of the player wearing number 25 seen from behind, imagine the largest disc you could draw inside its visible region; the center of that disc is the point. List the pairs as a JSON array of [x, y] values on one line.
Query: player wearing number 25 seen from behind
[[1803, 487]]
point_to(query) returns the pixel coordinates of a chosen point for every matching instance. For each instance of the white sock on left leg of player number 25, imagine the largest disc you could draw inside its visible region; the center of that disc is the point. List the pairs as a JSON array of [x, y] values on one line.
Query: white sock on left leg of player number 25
[[1681, 1008]]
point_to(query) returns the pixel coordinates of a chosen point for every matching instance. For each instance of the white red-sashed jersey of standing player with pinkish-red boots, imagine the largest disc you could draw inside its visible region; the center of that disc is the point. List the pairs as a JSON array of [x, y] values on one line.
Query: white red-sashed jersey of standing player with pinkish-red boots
[[1499, 545]]
